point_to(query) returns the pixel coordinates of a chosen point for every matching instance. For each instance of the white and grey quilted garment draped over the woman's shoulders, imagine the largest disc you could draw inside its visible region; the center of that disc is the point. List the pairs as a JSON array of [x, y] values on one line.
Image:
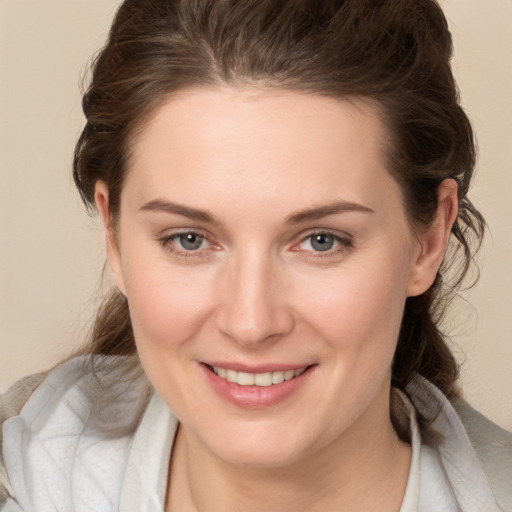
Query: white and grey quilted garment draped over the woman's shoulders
[[79, 446]]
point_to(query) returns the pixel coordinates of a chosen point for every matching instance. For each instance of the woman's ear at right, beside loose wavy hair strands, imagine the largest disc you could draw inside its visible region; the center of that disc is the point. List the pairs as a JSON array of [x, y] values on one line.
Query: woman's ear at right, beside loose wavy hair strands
[[433, 241]]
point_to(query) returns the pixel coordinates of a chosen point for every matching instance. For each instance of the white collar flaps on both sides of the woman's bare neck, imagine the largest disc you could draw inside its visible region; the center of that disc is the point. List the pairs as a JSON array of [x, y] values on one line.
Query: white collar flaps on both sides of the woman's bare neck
[[444, 474]]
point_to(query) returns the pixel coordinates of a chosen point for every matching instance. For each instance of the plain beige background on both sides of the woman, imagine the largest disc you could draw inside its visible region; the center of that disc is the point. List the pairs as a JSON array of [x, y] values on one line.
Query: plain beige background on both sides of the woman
[[51, 253]]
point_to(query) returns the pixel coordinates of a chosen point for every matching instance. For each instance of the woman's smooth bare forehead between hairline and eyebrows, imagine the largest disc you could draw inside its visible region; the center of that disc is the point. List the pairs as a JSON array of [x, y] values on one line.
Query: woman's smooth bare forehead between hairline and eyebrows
[[259, 145]]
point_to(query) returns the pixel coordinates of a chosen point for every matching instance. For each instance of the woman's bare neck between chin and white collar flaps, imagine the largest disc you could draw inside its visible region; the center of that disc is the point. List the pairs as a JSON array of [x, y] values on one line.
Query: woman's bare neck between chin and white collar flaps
[[362, 469]]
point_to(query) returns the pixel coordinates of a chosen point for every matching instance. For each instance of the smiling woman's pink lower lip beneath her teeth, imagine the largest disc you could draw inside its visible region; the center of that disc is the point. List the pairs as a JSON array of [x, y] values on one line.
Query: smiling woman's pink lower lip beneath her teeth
[[255, 397]]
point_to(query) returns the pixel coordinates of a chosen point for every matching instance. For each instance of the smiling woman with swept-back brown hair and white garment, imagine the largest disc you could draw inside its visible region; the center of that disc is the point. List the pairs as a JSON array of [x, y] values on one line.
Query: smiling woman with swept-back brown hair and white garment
[[279, 182]]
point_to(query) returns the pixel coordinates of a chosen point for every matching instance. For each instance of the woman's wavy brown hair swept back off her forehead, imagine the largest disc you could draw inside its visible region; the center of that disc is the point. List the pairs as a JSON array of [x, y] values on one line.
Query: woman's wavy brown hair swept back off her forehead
[[394, 52]]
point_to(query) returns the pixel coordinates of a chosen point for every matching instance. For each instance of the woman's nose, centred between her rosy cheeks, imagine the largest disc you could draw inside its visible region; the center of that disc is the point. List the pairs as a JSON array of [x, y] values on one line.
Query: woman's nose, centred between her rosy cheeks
[[255, 308]]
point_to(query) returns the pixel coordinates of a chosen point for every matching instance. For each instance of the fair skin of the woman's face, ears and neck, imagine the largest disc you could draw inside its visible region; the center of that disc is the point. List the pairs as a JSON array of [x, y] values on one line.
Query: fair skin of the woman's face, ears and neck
[[257, 292]]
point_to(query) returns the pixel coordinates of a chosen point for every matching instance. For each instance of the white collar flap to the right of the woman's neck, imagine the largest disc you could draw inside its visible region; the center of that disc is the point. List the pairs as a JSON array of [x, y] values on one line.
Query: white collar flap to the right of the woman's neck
[[445, 470]]
